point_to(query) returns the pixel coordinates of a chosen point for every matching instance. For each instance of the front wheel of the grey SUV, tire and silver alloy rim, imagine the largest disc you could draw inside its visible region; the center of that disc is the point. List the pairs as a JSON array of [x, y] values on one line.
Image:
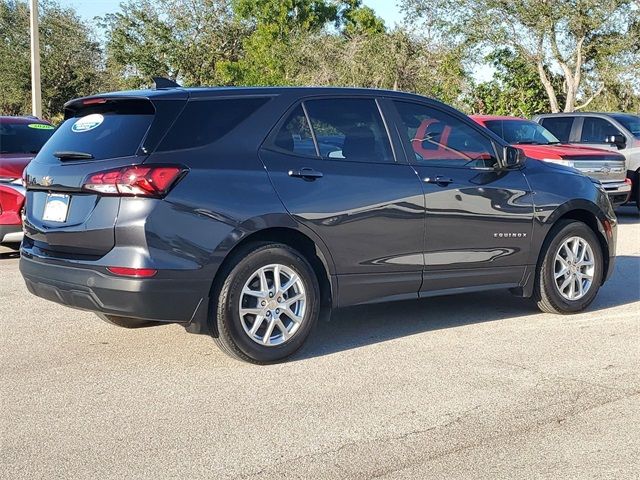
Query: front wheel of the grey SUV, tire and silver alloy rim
[[570, 271]]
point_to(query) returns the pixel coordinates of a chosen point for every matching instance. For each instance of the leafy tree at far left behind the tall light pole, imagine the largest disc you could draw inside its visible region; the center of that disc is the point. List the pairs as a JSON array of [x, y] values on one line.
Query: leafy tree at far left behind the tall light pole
[[70, 63]]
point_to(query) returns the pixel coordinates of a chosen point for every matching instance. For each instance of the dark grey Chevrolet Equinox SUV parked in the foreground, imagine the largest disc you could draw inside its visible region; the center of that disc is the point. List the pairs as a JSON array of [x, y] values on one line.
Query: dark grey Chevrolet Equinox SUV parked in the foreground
[[242, 212]]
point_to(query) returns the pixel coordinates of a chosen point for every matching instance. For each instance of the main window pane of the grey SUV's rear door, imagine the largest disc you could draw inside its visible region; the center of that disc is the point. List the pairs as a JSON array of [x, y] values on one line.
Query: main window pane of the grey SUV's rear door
[[349, 129]]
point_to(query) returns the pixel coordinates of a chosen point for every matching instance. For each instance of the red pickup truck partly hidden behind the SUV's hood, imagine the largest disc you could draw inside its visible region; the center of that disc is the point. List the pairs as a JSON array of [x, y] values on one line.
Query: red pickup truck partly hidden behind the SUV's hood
[[539, 143]]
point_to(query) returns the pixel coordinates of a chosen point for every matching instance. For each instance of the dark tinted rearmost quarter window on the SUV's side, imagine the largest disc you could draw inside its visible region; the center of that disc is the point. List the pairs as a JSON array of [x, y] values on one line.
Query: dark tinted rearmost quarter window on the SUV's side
[[205, 121]]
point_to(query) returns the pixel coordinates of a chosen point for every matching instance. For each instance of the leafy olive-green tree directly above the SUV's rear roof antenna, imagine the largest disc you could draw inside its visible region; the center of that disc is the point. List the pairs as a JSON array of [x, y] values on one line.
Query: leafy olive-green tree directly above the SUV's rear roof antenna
[[192, 42]]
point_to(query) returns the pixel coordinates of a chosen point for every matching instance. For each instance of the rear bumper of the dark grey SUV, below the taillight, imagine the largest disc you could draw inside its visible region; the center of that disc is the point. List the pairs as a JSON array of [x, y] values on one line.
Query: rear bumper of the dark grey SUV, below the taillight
[[172, 296]]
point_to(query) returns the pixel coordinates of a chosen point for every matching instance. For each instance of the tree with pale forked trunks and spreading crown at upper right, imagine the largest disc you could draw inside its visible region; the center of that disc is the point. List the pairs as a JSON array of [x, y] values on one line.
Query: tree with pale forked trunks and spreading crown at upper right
[[586, 41]]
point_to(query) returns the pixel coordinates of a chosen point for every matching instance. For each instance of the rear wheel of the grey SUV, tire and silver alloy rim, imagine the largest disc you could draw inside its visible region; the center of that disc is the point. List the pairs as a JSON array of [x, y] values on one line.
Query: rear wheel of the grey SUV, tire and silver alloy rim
[[267, 305]]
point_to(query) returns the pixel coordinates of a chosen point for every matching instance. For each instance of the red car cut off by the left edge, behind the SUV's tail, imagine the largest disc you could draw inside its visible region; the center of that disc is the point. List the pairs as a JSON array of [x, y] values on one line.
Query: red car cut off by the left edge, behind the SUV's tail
[[20, 139]]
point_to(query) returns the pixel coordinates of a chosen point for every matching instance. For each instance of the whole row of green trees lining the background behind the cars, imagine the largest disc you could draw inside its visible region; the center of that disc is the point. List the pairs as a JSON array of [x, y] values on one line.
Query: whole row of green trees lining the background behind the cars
[[547, 55]]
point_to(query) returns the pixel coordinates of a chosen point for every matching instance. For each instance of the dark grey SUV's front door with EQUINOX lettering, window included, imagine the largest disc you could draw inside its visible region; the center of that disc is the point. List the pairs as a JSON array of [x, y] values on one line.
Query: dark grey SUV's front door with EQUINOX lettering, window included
[[479, 218]]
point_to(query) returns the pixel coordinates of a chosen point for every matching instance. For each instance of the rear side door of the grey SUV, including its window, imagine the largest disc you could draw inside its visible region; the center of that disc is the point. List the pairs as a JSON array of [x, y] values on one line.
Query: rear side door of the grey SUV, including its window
[[333, 166]]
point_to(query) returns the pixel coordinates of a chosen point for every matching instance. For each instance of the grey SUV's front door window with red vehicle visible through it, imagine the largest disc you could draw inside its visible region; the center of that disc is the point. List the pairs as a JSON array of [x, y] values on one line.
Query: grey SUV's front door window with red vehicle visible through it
[[437, 137]]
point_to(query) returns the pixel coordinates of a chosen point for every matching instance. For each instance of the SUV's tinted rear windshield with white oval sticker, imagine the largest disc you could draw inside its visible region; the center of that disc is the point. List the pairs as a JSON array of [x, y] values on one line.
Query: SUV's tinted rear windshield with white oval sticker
[[111, 130]]
